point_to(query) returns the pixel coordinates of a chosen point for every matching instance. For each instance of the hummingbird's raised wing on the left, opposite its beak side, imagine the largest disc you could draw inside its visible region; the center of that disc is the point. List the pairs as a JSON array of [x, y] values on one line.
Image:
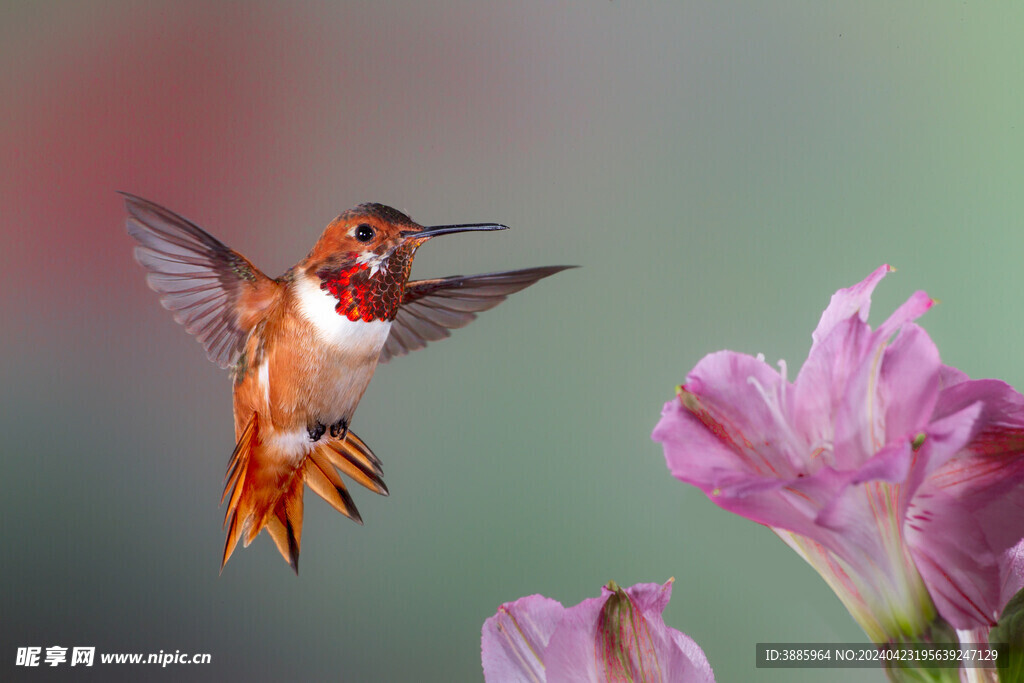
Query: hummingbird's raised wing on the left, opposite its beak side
[[217, 293]]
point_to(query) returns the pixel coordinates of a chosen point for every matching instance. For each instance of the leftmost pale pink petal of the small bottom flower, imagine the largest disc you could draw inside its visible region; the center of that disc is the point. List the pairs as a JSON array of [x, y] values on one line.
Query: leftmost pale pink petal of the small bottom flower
[[514, 641]]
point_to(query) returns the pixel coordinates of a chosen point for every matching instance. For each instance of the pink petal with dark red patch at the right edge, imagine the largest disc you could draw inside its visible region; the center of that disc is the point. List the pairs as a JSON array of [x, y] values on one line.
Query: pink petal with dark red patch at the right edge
[[967, 523]]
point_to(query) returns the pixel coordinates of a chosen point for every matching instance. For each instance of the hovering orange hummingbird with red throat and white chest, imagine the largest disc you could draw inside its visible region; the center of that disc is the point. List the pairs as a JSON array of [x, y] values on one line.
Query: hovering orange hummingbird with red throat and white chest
[[303, 349]]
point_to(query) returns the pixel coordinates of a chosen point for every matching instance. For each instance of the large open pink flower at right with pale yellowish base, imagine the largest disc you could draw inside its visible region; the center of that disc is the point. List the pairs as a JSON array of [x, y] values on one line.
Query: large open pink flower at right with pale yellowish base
[[897, 478]]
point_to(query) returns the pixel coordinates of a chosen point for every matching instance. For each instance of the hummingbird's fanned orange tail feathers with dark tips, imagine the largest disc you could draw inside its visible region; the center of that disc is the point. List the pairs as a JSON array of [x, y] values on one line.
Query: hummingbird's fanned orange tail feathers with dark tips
[[265, 489]]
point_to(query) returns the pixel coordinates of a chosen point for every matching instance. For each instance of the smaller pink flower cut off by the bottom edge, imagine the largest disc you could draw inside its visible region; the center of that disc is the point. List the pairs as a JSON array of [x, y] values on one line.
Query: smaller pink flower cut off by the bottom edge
[[617, 637]]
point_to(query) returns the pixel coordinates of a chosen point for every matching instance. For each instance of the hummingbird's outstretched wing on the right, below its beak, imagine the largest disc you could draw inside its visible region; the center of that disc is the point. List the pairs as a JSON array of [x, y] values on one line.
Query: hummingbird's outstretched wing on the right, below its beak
[[432, 308]]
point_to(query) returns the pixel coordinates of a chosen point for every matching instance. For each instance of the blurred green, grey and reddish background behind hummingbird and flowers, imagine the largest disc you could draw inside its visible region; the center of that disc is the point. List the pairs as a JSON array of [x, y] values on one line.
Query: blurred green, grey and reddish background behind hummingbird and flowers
[[717, 168]]
